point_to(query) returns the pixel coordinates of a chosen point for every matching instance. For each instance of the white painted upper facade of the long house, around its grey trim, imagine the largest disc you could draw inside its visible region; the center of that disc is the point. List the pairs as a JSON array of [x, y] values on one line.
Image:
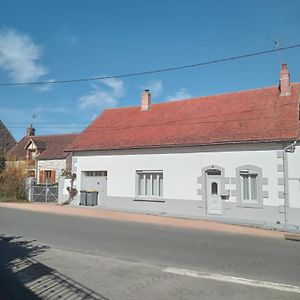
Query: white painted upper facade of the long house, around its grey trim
[[180, 170]]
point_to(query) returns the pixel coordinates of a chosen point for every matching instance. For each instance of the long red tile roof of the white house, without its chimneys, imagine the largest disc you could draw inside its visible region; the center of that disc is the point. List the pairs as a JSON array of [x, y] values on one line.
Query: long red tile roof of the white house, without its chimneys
[[247, 116]]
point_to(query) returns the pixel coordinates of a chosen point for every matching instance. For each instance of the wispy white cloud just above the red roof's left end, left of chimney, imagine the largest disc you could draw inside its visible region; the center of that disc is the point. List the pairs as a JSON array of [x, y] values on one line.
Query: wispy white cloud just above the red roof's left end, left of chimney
[[103, 96]]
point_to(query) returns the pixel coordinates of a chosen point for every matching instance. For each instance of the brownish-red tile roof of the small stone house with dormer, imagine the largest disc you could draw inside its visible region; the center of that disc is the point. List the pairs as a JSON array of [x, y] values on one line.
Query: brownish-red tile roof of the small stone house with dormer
[[51, 146]]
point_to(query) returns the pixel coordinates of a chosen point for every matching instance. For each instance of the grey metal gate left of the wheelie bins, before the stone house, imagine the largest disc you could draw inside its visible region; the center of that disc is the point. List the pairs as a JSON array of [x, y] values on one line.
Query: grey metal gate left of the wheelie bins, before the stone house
[[44, 192]]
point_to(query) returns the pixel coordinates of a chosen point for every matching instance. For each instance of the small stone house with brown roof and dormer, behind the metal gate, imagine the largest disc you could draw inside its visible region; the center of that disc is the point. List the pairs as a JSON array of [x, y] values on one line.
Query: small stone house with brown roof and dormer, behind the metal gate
[[44, 155]]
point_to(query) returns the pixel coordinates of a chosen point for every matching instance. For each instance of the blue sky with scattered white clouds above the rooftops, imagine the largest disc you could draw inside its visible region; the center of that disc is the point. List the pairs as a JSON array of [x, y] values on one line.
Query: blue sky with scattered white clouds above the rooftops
[[72, 39]]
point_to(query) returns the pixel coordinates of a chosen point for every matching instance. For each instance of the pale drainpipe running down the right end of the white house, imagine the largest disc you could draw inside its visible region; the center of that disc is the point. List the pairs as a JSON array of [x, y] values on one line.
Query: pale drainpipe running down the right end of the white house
[[288, 149]]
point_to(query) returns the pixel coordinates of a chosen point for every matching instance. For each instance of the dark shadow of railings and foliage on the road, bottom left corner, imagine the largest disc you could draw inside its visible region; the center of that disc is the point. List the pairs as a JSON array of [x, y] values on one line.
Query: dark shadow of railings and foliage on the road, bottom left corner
[[23, 277]]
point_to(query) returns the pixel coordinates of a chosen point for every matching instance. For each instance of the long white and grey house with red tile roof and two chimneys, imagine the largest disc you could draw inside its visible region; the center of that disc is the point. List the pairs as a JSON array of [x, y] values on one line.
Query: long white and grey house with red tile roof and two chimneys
[[233, 156]]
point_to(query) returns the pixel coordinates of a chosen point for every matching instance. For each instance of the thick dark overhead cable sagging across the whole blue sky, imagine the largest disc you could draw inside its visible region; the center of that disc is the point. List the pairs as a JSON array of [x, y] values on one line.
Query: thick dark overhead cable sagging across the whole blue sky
[[153, 71]]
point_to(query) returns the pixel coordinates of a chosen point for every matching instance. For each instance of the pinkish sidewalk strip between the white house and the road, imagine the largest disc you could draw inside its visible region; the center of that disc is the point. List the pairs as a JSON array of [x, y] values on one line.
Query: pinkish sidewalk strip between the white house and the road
[[143, 218]]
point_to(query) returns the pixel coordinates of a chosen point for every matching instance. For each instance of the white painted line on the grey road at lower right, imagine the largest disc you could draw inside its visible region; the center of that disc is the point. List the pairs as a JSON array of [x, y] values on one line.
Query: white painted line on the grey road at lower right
[[236, 280]]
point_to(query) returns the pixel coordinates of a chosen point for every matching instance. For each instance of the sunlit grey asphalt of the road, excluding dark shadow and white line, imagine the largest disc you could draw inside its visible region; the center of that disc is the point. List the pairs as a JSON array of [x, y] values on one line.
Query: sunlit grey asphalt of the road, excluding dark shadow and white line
[[130, 248]]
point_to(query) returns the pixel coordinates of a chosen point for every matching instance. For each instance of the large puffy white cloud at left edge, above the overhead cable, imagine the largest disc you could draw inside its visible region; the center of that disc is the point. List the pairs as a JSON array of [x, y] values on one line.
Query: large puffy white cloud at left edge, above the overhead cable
[[20, 56]]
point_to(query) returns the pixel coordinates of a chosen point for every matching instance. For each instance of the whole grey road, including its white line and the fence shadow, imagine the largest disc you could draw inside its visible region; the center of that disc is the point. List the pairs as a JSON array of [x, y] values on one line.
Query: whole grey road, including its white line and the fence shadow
[[108, 259]]
